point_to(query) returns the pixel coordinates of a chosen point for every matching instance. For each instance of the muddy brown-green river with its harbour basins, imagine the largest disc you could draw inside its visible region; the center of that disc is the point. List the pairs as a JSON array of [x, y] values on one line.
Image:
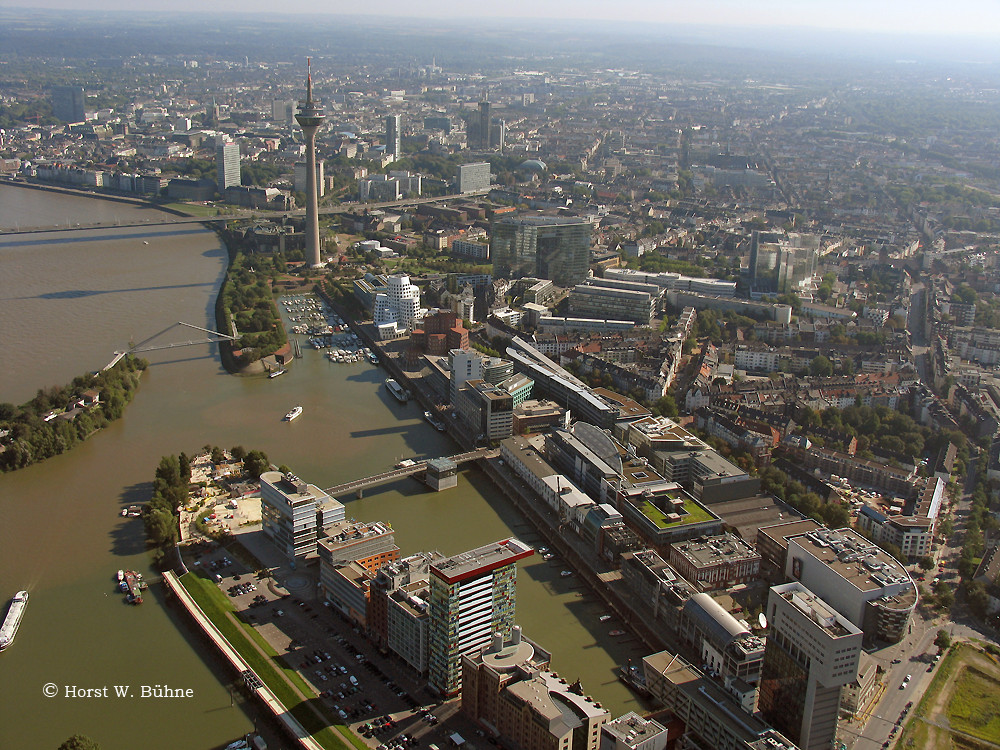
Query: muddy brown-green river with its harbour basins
[[67, 301]]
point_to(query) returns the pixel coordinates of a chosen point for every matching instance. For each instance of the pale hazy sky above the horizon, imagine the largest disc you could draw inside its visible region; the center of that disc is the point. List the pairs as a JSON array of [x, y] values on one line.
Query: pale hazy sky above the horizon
[[908, 16]]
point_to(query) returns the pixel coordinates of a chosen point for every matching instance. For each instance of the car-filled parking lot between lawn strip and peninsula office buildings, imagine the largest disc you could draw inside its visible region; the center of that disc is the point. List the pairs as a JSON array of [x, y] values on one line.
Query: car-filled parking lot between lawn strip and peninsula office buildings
[[377, 695]]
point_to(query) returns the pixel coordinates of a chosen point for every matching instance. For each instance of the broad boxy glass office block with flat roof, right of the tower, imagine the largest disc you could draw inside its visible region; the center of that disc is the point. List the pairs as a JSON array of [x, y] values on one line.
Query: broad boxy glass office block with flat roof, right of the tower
[[549, 247]]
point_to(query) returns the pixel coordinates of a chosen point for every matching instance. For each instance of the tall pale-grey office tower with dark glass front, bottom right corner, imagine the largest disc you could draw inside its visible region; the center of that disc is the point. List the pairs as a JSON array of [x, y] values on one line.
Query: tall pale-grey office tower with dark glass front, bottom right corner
[[812, 651]]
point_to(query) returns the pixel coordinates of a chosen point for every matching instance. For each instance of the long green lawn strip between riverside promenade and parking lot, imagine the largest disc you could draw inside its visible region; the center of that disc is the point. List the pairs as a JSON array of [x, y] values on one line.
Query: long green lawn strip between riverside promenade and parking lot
[[216, 608]]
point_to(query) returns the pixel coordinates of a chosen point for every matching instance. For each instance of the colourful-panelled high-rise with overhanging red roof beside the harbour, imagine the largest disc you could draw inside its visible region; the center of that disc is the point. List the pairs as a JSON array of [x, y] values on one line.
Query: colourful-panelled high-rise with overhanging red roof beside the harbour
[[473, 597]]
